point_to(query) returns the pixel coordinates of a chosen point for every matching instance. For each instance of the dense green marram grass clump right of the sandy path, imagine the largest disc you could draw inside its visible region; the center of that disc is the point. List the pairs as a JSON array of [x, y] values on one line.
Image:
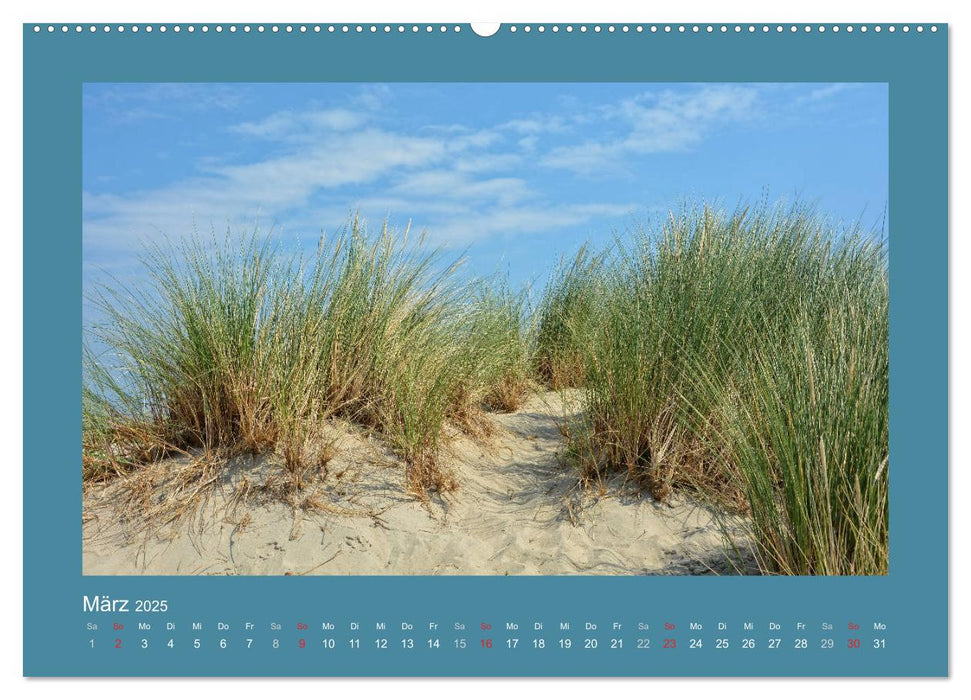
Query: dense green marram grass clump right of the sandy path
[[745, 356]]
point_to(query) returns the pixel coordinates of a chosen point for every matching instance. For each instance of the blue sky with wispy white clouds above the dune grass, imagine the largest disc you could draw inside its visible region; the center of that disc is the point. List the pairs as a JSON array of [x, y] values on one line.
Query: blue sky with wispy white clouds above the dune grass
[[514, 174]]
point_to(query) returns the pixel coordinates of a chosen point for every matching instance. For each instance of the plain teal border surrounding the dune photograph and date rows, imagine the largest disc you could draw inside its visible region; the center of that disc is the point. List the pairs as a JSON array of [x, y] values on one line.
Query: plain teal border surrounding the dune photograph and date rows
[[913, 598]]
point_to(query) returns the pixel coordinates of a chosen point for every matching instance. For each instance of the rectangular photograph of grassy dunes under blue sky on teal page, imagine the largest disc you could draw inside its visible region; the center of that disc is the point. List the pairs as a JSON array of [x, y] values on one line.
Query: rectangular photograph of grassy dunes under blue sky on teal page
[[498, 329]]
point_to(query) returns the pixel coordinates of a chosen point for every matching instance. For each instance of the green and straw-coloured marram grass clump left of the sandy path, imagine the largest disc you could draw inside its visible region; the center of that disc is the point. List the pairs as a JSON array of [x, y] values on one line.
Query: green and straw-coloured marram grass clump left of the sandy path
[[237, 345]]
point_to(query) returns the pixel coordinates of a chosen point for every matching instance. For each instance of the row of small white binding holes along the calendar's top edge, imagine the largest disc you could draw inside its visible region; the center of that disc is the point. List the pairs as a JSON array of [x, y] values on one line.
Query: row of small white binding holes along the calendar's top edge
[[414, 28]]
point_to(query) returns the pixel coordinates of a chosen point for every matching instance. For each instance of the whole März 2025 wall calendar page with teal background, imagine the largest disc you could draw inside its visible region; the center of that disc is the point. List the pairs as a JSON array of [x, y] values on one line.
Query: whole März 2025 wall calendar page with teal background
[[544, 349]]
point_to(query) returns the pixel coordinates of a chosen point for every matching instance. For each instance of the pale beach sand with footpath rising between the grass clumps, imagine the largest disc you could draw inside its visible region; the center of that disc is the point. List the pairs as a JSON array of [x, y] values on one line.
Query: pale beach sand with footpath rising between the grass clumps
[[517, 510]]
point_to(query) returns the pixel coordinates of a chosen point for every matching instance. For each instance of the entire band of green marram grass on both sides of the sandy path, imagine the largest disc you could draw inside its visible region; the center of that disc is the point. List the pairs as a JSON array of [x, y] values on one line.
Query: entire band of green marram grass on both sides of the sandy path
[[741, 356]]
